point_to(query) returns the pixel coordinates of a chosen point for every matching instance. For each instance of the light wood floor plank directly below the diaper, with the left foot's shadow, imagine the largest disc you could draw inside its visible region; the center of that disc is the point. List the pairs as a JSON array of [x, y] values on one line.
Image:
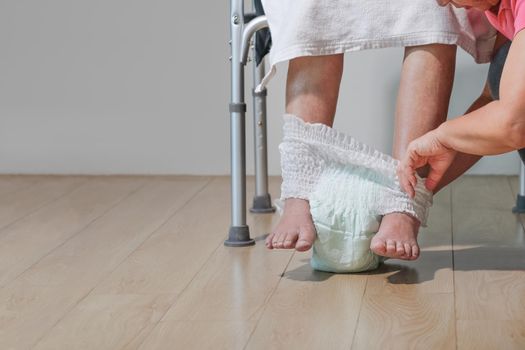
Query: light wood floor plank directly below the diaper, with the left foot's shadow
[[310, 310]]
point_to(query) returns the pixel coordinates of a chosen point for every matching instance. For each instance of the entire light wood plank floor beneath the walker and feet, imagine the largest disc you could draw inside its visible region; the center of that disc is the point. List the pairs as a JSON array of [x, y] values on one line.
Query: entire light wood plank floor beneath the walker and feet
[[139, 263]]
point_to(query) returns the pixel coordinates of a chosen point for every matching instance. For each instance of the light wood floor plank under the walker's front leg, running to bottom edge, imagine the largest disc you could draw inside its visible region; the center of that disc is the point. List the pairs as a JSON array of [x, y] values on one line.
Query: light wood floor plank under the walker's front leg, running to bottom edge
[[232, 287]]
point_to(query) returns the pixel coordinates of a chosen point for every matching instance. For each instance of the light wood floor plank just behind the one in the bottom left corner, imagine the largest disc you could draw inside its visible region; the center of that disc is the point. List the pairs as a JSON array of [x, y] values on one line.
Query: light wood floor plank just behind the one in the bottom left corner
[[31, 238]]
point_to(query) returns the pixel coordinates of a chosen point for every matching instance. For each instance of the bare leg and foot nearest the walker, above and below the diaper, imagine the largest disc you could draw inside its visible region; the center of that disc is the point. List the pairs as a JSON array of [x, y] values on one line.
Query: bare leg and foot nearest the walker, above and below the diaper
[[312, 90]]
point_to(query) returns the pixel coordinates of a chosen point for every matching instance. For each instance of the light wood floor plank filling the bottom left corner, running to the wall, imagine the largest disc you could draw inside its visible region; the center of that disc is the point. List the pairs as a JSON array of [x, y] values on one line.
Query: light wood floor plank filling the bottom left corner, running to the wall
[[41, 296]]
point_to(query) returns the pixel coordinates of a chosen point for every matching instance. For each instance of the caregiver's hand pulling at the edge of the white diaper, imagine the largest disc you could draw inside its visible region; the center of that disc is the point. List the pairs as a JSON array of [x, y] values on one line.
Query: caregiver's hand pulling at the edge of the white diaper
[[427, 149]]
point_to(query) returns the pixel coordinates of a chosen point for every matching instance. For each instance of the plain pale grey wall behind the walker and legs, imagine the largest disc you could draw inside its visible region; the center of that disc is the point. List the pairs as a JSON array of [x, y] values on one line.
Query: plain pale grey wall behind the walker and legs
[[142, 87]]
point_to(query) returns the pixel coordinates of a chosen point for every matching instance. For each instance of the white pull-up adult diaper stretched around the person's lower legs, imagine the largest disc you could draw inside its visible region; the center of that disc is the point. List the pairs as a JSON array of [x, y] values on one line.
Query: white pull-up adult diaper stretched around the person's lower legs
[[349, 186]]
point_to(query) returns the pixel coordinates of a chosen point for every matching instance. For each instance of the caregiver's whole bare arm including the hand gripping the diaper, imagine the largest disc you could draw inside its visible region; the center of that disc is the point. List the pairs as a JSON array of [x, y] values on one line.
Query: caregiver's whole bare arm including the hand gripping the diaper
[[498, 127]]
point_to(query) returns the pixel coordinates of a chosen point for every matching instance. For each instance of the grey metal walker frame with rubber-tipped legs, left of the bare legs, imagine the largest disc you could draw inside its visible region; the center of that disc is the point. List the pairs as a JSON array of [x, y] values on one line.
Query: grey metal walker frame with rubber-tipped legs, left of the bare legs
[[242, 29]]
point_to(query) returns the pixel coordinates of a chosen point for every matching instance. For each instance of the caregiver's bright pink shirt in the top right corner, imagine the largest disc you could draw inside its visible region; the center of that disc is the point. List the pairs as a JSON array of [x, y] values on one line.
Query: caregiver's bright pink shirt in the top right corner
[[510, 18]]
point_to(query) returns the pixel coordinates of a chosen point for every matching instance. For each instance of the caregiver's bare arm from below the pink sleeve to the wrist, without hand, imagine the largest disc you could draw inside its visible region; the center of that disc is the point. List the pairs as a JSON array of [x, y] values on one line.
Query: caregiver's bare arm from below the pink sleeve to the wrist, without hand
[[498, 127]]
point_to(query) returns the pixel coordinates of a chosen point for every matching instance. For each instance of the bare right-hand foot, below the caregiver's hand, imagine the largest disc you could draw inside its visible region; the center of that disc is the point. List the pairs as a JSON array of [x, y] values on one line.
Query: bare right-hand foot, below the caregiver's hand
[[397, 237]]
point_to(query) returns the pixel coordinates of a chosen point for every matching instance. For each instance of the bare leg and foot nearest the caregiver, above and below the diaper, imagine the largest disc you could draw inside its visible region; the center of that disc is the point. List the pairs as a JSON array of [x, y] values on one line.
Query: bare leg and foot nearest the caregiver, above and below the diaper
[[424, 93]]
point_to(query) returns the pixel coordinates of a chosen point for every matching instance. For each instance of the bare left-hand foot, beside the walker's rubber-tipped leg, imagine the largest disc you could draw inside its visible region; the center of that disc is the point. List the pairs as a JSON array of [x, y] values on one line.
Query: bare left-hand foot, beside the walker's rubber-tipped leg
[[295, 229]]
